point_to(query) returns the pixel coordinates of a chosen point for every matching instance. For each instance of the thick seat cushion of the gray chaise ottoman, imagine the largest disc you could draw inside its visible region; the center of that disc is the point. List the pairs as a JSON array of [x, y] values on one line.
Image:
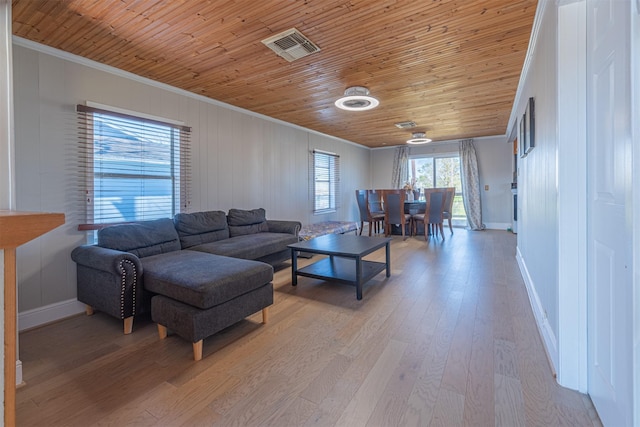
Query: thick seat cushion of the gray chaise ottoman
[[203, 280]]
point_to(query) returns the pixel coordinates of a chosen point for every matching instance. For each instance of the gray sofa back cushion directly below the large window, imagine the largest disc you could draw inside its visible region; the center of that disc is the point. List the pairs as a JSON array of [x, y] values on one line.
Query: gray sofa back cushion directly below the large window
[[143, 239]]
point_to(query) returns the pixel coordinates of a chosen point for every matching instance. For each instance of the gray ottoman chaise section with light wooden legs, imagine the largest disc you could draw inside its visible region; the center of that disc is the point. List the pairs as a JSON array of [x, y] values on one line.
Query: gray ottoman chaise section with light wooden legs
[[199, 294]]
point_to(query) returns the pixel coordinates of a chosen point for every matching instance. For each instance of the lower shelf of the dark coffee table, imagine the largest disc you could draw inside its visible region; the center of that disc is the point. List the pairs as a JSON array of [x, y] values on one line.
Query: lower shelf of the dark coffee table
[[341, 270]]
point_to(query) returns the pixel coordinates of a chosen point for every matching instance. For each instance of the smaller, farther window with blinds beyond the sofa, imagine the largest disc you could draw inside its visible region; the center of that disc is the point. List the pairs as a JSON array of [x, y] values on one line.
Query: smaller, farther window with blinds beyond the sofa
[[325, 168]]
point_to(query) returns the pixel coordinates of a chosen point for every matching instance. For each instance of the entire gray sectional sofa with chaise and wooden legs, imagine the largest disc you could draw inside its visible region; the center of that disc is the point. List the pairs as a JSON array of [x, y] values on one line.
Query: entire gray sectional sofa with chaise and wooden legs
[[197, 273]]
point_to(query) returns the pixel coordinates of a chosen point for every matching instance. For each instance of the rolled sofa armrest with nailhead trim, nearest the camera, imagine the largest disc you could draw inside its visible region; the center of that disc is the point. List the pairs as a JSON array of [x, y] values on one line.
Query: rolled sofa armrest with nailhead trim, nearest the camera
[[109, 280]]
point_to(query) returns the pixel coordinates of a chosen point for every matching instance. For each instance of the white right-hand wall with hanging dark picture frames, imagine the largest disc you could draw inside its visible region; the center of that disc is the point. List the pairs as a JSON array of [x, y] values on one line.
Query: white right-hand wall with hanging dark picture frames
[[538, 220]]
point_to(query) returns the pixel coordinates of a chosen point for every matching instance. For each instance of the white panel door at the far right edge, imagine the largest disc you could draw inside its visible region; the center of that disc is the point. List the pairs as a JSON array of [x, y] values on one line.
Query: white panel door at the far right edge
[[609, 230]]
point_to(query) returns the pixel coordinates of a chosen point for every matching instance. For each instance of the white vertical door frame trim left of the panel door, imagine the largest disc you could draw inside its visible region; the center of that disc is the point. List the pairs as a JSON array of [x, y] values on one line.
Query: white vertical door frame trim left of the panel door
[[572, 197]]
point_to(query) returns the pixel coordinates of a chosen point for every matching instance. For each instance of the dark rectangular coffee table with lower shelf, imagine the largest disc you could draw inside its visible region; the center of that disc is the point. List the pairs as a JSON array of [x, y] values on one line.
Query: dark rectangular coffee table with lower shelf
[[345, 263]]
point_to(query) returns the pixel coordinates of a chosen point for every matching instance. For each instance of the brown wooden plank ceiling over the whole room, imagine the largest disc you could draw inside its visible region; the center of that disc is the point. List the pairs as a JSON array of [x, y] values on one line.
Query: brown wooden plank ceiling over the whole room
[[450, 66]]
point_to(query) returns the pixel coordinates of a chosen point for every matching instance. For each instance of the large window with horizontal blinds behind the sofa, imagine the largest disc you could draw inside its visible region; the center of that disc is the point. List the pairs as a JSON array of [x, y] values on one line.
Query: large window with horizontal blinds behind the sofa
[[132, 168]]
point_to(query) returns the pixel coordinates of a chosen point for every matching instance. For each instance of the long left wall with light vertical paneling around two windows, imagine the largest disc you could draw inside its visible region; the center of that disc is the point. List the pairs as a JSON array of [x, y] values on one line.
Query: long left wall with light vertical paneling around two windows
[[239, 159]]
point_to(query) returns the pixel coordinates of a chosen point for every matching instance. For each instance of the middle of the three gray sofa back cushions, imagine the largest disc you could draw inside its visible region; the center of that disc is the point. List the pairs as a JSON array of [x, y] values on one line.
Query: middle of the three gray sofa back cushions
[[201, 227]]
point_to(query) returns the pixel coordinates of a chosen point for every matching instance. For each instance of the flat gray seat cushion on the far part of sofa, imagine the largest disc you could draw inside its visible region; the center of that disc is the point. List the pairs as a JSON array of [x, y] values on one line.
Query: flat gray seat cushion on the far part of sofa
[[249, 246]]
